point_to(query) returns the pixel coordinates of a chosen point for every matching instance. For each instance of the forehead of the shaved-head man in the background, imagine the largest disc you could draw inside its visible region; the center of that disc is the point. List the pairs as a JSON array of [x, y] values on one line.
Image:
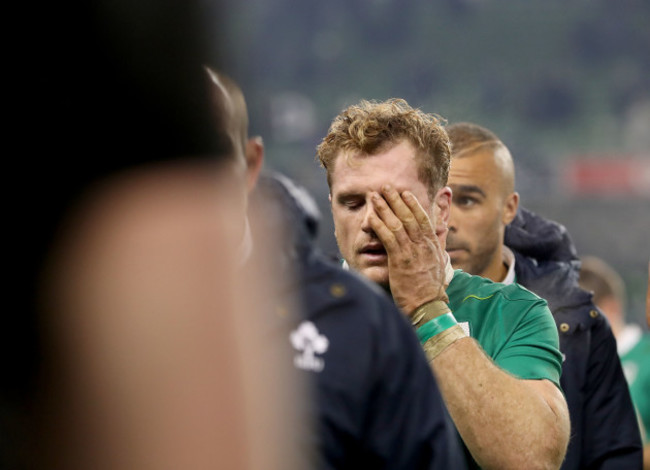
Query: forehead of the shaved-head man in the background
[[480, 168]]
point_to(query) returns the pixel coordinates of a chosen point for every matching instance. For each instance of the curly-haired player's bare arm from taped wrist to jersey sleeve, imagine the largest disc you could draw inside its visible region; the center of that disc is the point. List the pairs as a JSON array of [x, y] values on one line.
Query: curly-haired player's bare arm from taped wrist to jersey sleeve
[[505, 422]]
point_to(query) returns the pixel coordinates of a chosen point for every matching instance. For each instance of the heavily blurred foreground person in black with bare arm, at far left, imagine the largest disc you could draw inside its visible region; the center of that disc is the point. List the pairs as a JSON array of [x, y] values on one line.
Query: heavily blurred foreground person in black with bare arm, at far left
[[127, 347]]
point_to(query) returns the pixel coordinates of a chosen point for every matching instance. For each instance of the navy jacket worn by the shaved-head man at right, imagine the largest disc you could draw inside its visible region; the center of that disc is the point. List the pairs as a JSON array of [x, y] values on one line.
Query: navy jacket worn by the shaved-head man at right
[[604, 429]]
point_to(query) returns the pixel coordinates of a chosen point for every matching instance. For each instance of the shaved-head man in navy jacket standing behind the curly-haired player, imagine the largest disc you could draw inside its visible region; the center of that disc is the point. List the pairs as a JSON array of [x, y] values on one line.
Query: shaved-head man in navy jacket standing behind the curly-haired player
[[491, 236]]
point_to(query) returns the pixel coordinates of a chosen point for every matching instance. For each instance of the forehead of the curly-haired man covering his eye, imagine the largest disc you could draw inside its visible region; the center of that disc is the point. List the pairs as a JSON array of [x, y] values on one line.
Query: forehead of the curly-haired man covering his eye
[[359, 173]]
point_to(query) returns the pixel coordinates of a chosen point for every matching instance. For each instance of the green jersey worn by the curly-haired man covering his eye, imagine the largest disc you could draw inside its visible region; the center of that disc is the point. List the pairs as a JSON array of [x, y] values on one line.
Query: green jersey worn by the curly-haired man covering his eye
[[513, 325]]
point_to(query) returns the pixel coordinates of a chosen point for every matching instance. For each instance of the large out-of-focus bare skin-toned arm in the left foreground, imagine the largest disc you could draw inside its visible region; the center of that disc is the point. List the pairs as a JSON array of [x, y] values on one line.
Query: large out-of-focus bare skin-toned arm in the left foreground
[[151, 362]]
